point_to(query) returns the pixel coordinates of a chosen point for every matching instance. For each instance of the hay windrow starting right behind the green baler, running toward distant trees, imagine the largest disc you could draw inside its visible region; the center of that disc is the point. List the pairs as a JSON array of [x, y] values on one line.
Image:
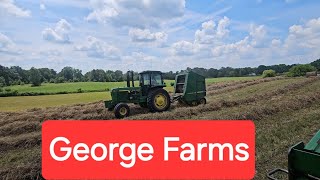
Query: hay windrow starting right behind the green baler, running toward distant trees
[[241, 85]]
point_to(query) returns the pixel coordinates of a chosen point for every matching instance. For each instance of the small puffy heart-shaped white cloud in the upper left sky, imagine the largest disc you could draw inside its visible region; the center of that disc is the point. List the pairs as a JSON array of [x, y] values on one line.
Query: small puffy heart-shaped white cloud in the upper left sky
[[59, 34]]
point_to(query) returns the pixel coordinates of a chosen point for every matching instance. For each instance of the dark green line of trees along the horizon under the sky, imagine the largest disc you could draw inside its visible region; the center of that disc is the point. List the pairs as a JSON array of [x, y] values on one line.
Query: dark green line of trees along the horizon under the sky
[[15, 75]]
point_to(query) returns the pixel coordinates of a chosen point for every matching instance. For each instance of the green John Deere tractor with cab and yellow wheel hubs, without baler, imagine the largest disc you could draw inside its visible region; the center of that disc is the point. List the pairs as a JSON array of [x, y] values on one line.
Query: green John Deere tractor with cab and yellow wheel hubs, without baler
[[150, 94]]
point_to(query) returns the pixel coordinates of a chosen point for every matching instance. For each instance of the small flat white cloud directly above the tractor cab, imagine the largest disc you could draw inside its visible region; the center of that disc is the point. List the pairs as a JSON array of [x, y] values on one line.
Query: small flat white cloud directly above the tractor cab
[[145, 35]]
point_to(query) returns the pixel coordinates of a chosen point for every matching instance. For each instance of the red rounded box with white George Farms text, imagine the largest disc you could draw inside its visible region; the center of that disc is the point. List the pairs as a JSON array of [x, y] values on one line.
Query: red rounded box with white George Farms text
[[157, 149]]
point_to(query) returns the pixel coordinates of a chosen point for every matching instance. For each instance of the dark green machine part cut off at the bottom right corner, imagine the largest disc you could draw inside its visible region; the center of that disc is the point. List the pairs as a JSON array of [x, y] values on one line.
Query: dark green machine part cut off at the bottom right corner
[[303, 161]]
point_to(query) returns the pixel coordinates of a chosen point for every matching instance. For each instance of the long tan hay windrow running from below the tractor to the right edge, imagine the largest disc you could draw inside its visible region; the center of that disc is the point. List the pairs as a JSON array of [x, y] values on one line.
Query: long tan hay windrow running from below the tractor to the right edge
[[188, 112]]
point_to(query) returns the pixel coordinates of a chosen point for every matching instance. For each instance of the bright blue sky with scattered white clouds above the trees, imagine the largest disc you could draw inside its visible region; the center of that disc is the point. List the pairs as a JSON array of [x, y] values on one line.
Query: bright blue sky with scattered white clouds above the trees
[[166, 35]]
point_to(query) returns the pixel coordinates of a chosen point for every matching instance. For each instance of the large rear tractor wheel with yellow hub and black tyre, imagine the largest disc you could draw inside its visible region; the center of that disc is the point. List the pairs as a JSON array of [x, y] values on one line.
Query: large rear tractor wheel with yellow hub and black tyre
[[158, 100]]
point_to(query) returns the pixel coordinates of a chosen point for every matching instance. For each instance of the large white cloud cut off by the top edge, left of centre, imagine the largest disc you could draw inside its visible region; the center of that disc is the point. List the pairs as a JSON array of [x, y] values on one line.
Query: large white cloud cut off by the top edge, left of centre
[[135, 13]]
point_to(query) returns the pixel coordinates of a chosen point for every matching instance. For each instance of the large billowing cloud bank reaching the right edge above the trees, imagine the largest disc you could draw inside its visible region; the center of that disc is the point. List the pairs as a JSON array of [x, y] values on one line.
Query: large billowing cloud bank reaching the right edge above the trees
[[301, 45]]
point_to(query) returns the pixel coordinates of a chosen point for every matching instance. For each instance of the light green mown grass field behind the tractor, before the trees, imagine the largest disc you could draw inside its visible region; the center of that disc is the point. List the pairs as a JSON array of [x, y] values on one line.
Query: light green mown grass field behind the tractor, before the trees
[[19, 103]]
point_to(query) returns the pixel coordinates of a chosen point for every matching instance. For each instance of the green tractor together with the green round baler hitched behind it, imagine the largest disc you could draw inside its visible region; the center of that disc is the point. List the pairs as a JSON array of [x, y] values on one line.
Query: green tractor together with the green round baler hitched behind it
[[189, 88]]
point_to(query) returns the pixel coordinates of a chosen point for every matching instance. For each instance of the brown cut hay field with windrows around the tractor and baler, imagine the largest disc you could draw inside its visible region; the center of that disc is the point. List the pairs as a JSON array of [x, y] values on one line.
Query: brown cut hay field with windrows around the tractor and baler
[[284, 110]]
